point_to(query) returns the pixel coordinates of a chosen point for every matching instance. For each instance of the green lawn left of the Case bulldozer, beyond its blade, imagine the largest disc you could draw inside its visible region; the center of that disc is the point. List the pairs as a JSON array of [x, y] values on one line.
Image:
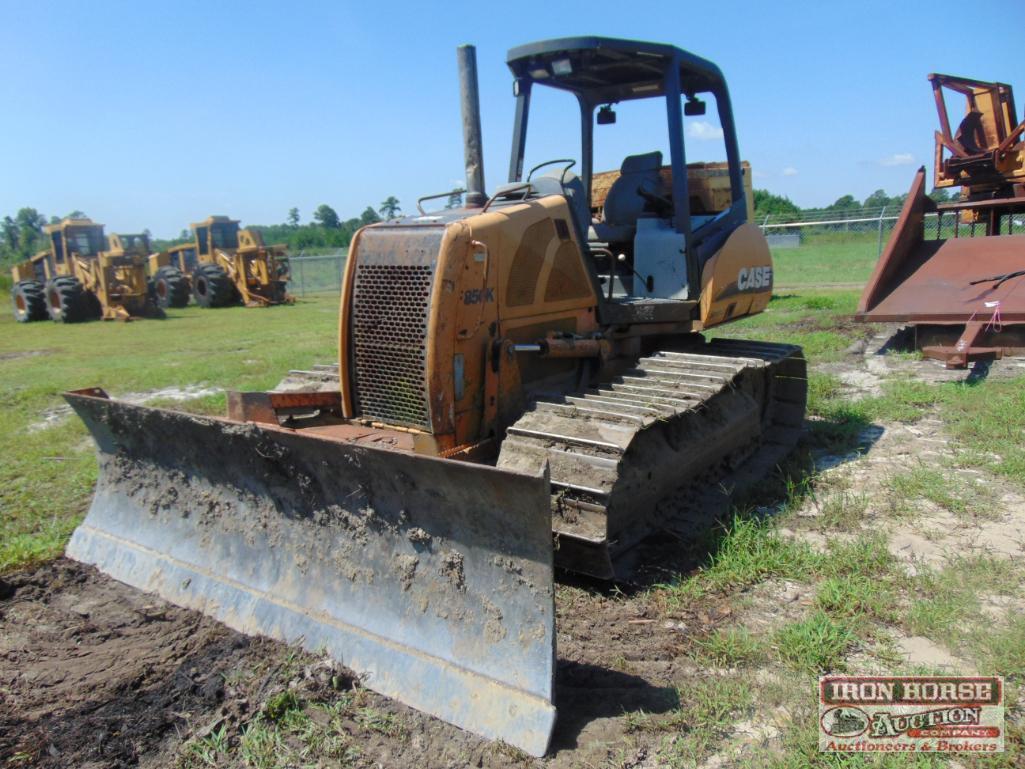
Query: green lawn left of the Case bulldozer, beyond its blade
[[47, 475]]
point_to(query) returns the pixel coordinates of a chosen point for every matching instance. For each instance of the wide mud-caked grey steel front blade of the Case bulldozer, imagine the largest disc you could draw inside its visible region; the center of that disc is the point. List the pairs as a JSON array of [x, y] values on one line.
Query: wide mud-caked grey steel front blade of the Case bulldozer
[[433, 579]]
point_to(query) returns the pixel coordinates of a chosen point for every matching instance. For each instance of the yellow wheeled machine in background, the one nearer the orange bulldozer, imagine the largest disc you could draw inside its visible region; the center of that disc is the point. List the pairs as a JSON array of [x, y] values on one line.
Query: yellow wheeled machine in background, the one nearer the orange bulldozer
[[224, 265]]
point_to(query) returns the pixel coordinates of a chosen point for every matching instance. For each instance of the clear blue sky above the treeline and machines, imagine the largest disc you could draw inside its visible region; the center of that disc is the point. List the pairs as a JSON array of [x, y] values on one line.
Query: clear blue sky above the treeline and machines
[[156, 115]]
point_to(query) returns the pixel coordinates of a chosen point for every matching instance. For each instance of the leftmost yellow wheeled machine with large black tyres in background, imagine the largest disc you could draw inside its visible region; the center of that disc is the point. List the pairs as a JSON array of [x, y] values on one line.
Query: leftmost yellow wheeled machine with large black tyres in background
[[83, 276]]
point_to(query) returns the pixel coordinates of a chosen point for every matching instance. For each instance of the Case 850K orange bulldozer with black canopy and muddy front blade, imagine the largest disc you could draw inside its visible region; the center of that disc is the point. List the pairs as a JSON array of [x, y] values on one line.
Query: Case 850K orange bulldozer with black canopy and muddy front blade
[[523, 382]]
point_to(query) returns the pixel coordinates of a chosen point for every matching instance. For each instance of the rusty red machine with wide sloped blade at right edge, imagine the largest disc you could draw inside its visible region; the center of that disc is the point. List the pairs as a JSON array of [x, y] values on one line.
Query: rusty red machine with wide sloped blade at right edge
[[973, 282]]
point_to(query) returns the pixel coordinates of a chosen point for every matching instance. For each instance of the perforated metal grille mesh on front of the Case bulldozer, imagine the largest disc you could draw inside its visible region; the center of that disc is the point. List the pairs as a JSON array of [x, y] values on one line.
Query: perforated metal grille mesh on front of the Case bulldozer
[[390, 329]]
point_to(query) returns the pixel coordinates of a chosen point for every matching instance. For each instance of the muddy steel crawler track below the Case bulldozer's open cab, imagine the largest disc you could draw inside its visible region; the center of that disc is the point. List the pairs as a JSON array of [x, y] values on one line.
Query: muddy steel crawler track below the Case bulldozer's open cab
[[677, 420]]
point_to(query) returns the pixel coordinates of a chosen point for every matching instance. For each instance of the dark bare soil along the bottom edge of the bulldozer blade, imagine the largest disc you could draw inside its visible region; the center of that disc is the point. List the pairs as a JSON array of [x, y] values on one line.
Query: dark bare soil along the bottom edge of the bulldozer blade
[[96, 674]]
